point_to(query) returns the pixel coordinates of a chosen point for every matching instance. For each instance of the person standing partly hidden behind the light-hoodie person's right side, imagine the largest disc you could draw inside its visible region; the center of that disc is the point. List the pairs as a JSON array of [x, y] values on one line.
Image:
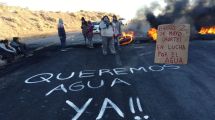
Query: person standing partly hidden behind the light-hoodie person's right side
[[117, 31]]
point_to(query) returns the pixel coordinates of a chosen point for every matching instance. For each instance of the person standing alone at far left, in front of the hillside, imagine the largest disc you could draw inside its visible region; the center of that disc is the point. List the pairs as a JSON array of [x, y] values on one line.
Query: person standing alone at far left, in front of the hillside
[[62, 33]]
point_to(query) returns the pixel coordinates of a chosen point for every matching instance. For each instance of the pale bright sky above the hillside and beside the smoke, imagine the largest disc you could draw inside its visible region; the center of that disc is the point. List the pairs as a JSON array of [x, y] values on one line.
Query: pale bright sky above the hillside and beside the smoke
[[124, 8]]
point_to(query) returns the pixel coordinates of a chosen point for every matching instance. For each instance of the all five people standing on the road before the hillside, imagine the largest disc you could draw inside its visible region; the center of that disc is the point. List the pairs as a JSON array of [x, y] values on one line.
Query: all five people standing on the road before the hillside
[[110, 33]]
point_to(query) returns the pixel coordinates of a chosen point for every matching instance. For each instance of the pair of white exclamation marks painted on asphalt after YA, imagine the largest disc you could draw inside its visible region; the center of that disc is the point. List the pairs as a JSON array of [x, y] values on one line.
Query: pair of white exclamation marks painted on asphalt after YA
[[132, 109]]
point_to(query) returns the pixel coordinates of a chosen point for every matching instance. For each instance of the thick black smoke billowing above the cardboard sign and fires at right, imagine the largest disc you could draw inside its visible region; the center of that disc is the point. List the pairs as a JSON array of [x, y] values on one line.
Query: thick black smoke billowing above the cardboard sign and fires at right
[[198, 13]]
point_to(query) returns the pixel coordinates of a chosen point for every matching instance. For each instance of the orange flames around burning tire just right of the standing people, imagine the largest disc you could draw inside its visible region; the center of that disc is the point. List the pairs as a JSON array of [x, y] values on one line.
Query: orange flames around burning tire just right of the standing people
[[126, 38]]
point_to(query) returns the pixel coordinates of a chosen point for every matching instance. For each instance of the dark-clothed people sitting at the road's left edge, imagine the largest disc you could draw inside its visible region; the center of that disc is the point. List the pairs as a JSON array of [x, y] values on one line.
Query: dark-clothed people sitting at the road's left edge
[[10, 49]]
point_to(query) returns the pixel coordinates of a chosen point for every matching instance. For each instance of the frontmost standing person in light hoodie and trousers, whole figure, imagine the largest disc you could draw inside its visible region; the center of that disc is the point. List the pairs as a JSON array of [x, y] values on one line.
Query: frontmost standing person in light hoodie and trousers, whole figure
[[107, 32]]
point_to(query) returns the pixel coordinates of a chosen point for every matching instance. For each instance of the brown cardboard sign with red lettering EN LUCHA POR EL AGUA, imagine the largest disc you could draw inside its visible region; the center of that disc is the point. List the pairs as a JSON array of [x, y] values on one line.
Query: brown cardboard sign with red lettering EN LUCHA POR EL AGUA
[[172, 44]]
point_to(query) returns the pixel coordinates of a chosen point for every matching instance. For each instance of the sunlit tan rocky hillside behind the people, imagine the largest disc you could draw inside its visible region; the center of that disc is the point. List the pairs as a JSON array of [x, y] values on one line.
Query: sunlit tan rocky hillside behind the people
[[16, 21]]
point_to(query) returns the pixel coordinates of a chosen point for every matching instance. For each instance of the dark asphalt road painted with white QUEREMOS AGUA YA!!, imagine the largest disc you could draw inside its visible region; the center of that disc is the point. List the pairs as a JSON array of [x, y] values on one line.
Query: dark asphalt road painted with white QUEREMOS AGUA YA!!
[[82, 84]]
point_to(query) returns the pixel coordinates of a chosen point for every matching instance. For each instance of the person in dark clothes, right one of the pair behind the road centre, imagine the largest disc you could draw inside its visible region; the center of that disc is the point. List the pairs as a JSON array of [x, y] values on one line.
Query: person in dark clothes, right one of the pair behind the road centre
[[90, 34]]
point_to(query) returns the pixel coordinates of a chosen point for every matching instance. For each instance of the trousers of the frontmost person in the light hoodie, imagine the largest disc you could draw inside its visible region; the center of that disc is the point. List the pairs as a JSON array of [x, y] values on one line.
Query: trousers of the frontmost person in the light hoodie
[[108, 42]]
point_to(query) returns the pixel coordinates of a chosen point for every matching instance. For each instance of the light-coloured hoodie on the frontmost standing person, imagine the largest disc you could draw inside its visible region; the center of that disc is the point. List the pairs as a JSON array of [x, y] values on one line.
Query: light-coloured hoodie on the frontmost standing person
[[106, 31]]
